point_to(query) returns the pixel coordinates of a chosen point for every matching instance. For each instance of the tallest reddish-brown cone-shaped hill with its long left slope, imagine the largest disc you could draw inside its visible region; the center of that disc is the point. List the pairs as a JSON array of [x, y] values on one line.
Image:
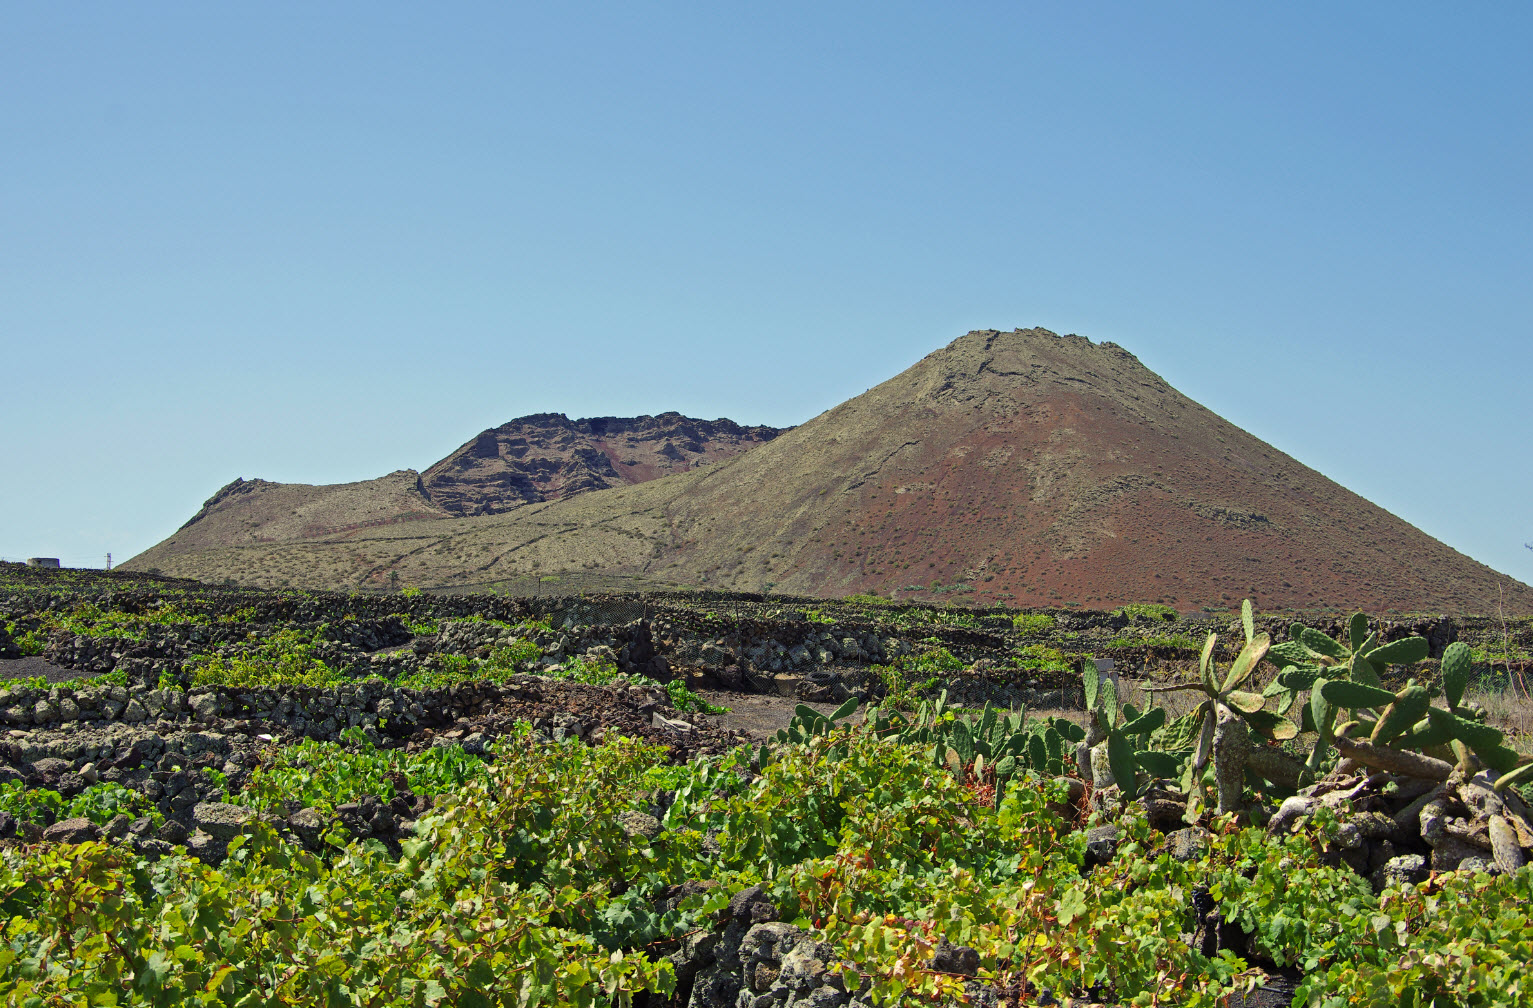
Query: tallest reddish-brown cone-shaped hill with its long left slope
[[1019, 466]]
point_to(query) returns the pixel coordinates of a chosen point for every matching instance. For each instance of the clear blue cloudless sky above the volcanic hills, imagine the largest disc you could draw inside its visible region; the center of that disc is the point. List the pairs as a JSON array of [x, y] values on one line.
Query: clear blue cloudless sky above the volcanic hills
[[321, 243]]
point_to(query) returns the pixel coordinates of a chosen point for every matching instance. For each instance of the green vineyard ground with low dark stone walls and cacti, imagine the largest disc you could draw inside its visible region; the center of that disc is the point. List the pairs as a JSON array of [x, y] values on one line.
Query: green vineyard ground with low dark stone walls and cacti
[[232, 797]]
